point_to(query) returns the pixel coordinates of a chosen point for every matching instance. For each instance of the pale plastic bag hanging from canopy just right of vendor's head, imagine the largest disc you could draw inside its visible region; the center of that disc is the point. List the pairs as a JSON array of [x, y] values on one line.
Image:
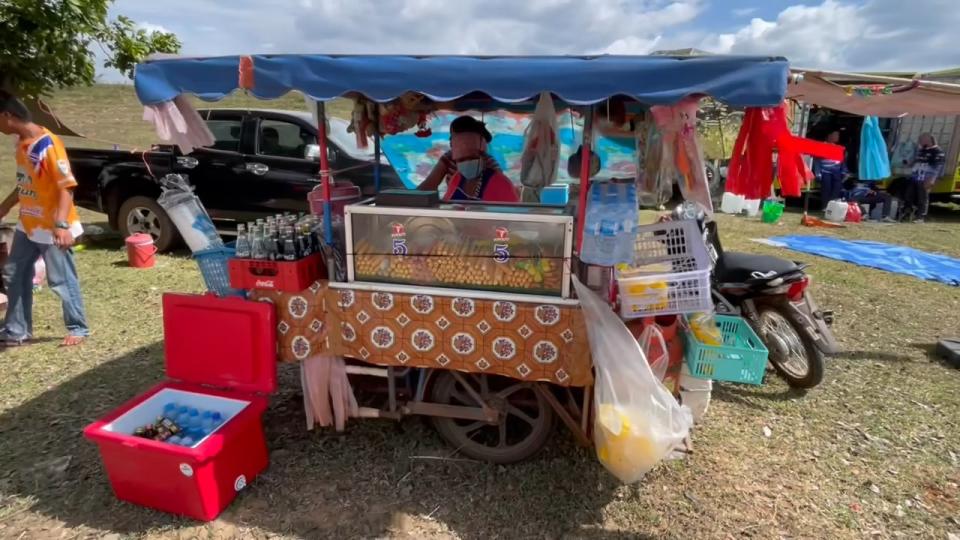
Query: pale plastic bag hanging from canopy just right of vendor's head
[[541, 148]]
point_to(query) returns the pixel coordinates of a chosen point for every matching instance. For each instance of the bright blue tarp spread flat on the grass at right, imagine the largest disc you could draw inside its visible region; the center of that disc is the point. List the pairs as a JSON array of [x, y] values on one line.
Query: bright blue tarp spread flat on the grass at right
[[889, 257]]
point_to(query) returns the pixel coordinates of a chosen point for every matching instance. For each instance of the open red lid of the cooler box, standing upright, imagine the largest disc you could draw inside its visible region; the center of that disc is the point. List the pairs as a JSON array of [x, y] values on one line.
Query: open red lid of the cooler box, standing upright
[[221, 342]]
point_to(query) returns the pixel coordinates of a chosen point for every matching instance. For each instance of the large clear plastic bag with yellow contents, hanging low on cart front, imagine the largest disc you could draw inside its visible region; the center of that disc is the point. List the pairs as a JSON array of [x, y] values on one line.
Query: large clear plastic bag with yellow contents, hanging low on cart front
[[638, 423]]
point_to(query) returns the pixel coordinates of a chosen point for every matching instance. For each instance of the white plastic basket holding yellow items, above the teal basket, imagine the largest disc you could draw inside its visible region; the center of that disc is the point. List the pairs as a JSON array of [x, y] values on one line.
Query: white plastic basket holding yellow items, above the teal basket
[[670, 274]]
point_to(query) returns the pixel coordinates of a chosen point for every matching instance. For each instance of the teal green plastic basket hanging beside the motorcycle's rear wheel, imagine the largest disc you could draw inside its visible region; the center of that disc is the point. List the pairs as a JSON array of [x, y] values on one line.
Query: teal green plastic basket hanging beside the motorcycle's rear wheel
[[742, 358]]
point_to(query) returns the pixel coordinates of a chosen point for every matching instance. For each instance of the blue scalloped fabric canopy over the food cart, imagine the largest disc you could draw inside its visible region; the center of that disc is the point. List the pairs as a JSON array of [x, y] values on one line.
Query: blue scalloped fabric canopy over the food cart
[[740, 81]]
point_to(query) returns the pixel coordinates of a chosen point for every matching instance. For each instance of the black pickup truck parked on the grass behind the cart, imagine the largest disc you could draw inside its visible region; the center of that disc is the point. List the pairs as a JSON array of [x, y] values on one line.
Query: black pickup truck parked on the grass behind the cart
[[262, 162]]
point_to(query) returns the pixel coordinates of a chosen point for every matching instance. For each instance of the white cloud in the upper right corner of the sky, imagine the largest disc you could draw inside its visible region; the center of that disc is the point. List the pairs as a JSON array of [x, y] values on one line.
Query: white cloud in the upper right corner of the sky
[[869, 35]]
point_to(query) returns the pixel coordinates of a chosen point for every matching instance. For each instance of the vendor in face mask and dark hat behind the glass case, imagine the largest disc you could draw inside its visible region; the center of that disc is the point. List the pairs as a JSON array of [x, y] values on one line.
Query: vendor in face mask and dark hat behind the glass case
[[472, 174]]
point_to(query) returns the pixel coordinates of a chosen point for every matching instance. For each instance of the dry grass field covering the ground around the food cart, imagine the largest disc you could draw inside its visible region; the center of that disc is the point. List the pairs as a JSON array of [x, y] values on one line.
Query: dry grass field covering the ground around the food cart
[[874, 452]]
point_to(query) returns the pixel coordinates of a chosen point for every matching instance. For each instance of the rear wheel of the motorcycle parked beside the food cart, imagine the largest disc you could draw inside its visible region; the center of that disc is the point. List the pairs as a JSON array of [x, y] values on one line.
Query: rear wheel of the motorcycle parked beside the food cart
[[793, 351]]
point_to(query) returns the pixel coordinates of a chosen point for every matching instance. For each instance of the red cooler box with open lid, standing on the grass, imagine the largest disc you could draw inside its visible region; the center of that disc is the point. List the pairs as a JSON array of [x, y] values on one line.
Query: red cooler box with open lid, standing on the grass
[[220, 356]]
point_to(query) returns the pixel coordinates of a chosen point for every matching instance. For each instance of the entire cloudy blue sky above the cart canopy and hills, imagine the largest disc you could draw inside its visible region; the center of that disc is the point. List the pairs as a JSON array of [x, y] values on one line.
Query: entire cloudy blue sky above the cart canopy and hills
[[912, 35]]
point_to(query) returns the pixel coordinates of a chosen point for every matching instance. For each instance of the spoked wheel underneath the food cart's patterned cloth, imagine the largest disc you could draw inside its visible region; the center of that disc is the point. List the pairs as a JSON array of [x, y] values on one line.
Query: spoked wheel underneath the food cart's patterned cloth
[[524, 425]]
